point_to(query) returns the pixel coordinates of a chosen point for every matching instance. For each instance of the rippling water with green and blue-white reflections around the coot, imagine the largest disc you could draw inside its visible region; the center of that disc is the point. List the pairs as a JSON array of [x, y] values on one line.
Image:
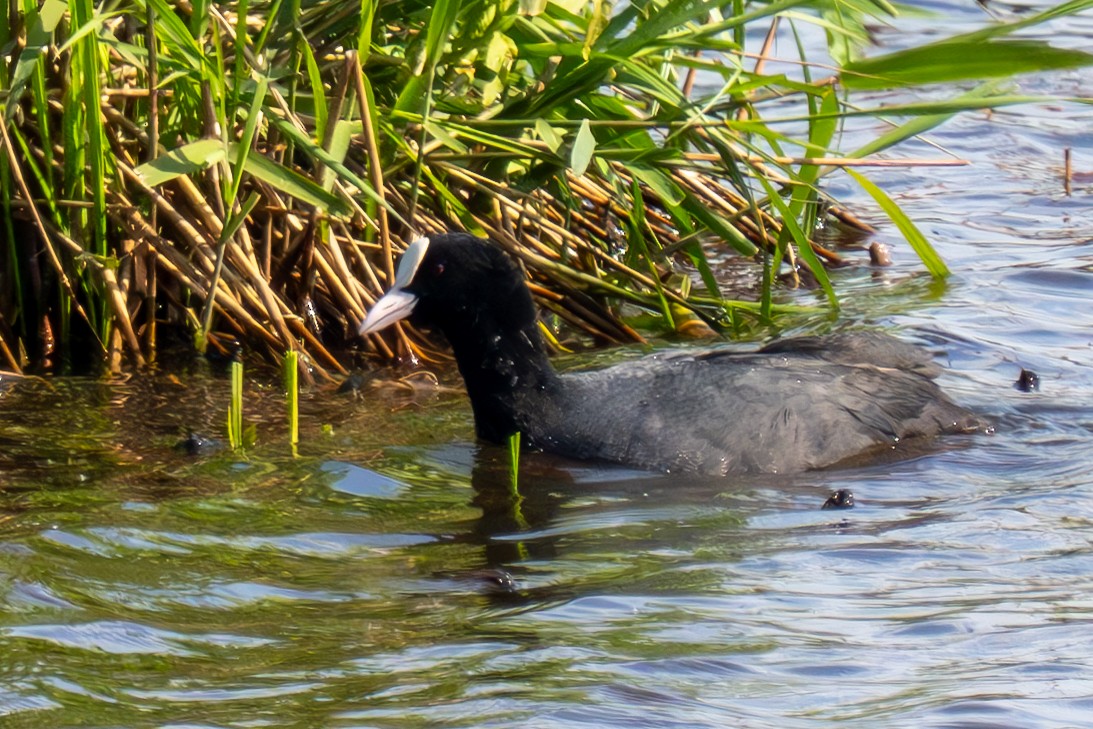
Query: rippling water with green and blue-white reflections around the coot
[[386, 579]]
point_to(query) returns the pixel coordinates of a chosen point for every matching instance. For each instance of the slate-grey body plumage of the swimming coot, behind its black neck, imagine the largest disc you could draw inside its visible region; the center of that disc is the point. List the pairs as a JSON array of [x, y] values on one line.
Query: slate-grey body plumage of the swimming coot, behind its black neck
[[800, 405]]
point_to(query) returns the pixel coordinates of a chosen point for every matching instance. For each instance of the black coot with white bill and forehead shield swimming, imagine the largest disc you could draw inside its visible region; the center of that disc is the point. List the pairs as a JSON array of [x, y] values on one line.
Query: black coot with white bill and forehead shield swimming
[[796, 405]]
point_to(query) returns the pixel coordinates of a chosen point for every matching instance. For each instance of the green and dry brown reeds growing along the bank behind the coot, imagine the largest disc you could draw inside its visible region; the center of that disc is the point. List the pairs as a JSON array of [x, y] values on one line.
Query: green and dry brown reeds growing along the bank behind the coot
[[250, 170]]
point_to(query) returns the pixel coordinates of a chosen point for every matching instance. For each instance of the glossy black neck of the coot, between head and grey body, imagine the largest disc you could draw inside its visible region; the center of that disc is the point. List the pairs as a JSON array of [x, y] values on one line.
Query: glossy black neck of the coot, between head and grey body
[[508, 373]]
